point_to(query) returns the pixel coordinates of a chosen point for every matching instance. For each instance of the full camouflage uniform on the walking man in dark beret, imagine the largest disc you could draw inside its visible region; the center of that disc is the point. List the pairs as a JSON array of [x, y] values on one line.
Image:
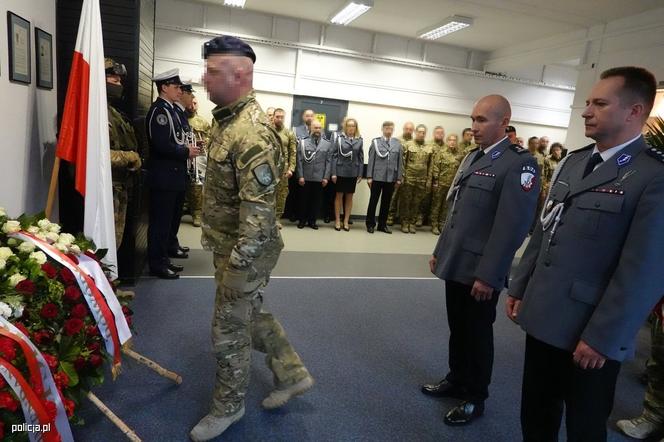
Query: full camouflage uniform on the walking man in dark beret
[[239, 226]]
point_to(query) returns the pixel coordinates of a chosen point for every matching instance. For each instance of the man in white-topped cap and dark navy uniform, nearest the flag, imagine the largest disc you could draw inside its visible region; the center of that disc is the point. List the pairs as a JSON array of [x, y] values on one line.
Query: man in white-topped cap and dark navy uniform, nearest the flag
[[167, 175]]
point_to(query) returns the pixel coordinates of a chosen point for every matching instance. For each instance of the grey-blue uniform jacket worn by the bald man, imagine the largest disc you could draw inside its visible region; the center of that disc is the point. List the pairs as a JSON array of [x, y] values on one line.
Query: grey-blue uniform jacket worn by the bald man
[[492, 203]]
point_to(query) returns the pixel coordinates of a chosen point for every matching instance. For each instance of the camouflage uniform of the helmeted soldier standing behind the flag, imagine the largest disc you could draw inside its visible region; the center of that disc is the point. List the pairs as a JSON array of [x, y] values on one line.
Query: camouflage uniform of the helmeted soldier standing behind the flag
[[124, 161]]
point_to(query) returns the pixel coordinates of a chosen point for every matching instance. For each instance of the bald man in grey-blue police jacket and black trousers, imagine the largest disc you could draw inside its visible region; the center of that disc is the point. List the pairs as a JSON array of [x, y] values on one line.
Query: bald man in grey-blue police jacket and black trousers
[[492, 200]]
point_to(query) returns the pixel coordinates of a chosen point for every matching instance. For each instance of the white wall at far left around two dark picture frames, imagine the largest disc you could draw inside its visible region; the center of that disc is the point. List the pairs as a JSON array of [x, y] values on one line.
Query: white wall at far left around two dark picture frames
[[27, 117]]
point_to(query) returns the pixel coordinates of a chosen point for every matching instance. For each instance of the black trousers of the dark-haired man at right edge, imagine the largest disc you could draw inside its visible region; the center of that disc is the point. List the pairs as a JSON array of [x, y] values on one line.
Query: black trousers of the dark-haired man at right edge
[[551, 382]]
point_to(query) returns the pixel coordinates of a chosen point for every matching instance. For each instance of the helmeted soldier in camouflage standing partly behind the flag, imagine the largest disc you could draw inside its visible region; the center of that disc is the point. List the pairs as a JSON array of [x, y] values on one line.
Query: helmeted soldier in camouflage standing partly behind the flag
[[125, 160]]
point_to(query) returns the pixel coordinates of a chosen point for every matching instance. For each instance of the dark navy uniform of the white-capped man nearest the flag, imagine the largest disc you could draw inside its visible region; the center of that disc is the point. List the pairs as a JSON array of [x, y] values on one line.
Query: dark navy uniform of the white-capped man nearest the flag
[[167, 177]]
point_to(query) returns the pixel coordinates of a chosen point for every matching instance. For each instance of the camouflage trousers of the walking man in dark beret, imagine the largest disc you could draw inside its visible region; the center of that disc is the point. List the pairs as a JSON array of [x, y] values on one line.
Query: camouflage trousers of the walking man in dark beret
[[237, 328]]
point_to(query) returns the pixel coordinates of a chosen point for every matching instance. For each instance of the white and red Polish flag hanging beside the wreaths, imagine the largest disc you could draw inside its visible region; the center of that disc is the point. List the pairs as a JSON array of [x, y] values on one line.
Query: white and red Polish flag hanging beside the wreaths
[[83, 139]]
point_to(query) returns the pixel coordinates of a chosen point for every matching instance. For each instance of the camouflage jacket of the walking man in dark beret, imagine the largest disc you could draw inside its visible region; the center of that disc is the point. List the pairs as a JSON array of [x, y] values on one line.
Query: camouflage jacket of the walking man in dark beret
[[244, 164]]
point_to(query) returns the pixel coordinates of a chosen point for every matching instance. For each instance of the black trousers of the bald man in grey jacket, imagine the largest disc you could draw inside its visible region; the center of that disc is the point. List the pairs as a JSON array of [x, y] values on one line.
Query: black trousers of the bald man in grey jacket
[[471, 340]]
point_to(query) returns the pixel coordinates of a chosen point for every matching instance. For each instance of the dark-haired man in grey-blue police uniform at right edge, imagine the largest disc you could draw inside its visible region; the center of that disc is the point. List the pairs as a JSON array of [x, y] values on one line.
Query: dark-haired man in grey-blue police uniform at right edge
[[592, 270]]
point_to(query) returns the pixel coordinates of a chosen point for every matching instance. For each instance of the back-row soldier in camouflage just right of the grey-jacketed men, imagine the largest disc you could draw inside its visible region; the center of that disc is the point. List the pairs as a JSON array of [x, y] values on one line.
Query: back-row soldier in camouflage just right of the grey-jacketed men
[[417, 159]]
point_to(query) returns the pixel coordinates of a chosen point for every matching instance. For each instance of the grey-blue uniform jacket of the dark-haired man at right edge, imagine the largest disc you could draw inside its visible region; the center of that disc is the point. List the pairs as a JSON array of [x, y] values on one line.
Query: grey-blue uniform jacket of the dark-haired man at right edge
[[597, 275]]
